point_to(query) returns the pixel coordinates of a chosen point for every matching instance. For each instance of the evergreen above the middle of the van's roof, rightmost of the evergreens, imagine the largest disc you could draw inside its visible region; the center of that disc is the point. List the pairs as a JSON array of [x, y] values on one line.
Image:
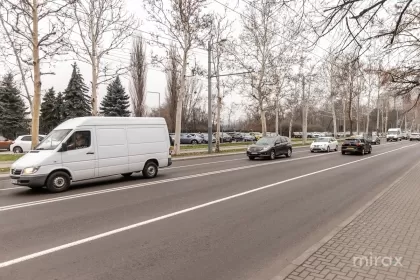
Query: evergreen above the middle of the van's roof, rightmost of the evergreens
[[116, 102]]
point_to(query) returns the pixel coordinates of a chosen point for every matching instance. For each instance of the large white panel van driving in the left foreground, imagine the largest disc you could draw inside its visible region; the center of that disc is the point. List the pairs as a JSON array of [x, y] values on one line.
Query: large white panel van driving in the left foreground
[[91, 147]]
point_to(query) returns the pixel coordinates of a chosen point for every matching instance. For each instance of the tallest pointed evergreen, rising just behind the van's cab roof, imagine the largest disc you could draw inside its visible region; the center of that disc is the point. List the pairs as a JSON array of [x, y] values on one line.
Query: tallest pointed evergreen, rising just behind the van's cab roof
[[76, 101]]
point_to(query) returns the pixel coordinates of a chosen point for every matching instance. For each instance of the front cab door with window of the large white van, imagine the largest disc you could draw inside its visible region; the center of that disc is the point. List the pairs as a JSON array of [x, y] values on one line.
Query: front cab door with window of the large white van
[[80, 155]]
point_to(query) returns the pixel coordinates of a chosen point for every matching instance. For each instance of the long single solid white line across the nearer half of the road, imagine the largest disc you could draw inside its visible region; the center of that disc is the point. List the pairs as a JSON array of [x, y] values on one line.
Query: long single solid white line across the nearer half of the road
[[126, 228]]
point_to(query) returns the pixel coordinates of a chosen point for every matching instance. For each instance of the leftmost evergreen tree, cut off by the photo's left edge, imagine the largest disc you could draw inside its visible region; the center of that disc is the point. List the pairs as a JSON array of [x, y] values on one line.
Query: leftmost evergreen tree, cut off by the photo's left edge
[[12, 109]]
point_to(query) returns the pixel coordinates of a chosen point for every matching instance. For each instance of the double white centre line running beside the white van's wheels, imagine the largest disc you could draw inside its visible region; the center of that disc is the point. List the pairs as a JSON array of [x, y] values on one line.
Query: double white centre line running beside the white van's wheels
[[50, 200]]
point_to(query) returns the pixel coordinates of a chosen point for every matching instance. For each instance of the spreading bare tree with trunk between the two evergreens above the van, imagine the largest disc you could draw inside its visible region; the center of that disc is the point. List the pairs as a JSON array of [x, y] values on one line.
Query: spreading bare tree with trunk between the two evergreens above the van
[[102, 26]]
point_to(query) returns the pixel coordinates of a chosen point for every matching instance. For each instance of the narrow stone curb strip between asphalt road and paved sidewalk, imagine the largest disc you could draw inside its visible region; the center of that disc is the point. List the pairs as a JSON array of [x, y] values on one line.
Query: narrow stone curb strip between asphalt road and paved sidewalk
[[285, 272]]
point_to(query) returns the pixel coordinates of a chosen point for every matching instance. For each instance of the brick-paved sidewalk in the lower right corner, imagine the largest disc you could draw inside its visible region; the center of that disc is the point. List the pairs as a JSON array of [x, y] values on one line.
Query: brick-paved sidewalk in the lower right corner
[[381, 242]]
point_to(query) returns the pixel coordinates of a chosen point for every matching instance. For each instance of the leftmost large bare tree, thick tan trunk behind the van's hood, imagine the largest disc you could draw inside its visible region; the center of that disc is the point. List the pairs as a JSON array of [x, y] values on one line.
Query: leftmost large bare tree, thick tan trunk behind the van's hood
[[23, 20]]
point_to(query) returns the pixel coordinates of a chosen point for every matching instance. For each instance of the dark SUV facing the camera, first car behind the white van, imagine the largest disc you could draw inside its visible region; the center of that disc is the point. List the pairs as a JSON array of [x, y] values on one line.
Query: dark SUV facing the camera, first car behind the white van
[[270, 147]]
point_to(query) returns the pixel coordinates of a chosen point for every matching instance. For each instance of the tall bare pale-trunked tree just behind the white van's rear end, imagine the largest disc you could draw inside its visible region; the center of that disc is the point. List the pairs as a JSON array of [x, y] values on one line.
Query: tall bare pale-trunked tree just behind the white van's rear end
[[184, 22]]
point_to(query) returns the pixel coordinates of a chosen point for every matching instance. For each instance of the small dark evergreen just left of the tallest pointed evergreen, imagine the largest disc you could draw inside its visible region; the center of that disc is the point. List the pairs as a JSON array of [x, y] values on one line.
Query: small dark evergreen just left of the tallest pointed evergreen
[[48, 119]]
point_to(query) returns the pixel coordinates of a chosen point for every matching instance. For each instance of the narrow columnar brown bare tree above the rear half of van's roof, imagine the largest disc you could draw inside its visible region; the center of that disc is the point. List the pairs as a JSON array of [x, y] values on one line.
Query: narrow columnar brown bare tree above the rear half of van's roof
[[138, 76]]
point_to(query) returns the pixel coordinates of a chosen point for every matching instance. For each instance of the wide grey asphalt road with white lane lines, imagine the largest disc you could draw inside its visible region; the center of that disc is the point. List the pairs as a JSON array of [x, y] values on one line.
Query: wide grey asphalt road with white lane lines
[[216, 218]]
